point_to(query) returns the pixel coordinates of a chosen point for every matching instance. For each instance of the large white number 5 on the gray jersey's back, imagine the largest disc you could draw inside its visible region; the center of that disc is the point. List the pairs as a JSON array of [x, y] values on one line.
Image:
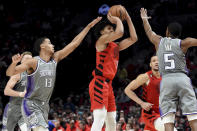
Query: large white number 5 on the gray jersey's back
[[170, 61]]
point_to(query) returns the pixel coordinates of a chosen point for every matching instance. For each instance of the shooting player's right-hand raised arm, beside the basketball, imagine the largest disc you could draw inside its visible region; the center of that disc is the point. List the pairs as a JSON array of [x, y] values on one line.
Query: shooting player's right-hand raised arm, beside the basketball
[[124, 44]]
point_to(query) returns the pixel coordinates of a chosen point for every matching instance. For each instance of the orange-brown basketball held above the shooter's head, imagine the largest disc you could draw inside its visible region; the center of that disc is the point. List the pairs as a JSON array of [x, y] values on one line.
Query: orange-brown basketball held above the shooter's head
[[118, 11]]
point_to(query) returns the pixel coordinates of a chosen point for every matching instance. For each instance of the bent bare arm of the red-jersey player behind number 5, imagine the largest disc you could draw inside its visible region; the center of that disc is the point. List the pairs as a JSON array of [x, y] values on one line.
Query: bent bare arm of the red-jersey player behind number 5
[[129, 91]]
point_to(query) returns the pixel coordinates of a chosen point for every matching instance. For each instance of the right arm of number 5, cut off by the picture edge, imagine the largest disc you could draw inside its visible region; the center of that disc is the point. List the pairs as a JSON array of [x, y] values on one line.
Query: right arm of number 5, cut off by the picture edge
[[187, 43]]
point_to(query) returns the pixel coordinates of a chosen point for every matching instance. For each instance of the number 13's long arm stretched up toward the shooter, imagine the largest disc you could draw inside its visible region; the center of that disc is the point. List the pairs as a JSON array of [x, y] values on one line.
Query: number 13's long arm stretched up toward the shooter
[[59, 55]]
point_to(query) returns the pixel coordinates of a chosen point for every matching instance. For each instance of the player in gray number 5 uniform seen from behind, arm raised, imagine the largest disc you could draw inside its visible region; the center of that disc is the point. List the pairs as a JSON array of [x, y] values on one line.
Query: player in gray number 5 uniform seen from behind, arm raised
[[175, 85]]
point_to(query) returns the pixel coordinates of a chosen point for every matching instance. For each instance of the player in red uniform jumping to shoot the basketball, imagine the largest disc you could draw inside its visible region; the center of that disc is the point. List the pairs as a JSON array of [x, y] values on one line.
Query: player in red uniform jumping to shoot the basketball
[[107, 57]]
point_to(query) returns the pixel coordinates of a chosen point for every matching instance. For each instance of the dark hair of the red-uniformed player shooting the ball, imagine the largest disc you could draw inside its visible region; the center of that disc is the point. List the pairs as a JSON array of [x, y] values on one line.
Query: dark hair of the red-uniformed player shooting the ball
[[100, 26]]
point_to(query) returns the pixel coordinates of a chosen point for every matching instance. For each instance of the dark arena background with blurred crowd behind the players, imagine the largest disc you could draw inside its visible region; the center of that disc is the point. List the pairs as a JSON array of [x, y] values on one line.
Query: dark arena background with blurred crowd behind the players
[[61, 22]]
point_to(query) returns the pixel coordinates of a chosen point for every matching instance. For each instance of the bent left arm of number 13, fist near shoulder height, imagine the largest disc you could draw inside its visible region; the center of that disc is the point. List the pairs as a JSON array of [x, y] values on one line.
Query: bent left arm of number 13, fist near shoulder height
[[29, 66]]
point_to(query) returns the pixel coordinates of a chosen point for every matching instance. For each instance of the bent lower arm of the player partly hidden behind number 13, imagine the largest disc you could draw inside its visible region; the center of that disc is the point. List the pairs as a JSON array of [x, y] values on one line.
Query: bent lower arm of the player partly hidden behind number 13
[[8, 91]]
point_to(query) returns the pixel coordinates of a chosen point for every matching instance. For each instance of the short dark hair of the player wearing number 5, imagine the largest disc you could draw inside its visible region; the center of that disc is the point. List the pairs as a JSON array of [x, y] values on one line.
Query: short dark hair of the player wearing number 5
[[175, 29]]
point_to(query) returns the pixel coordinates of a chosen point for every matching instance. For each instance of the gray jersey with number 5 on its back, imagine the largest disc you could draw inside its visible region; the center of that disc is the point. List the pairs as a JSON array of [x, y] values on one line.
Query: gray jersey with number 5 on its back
[[171, 57]]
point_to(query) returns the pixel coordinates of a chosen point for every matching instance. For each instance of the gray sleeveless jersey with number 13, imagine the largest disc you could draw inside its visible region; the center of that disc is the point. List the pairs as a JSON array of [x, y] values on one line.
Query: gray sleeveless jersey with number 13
[[40, 84]]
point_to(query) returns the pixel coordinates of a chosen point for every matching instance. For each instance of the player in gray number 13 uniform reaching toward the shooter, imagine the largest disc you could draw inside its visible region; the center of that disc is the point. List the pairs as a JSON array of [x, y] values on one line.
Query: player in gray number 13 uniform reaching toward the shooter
[[41, 77]]
